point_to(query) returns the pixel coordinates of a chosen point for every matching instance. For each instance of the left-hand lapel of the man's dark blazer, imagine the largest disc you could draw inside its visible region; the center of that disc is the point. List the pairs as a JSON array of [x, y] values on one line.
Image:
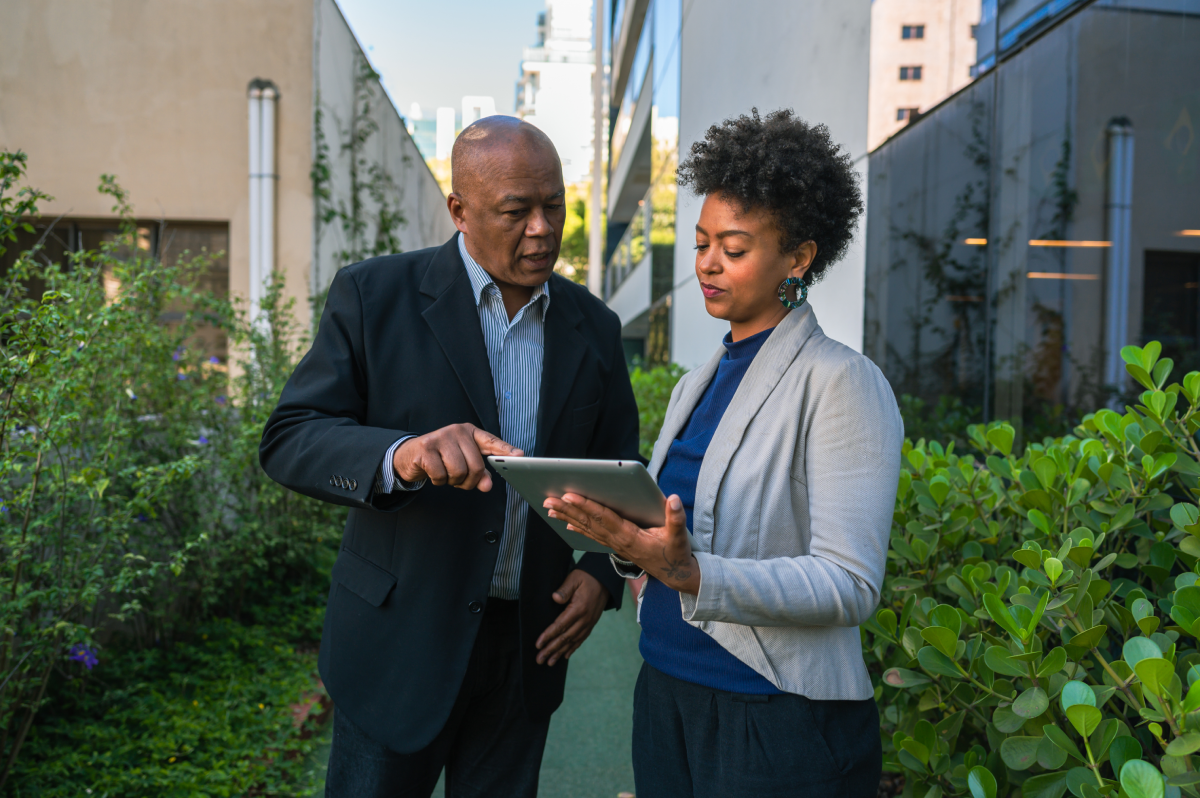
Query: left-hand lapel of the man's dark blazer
[[454, 320]]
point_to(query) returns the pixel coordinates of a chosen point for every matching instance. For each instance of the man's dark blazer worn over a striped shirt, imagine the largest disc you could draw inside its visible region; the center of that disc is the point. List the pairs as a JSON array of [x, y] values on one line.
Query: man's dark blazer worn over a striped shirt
[[400, 351]]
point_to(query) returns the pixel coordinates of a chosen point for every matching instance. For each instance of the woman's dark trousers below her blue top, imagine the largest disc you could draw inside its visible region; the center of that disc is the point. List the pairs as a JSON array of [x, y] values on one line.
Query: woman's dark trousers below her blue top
[[692, 742]]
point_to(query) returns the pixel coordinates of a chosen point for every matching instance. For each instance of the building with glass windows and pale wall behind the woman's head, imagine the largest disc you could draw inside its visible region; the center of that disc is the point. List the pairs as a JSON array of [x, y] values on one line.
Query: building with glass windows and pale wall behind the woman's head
[[675, 70]]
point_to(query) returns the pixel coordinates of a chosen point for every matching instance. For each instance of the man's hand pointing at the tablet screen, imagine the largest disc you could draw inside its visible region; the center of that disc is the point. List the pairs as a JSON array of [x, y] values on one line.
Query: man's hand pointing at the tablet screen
[[453, 457]]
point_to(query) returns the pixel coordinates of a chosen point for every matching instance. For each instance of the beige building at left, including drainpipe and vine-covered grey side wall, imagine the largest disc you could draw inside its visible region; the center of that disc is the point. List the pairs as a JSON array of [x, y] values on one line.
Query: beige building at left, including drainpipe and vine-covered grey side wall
[[236, 137]]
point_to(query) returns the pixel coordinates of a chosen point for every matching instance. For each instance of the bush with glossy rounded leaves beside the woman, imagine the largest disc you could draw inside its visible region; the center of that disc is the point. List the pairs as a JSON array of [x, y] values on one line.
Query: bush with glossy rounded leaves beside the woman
[[1040, 619]]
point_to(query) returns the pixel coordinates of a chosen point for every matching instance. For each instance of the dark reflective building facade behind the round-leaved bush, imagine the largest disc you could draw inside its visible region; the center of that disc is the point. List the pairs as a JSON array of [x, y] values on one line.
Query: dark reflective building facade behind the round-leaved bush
[[1025, 230]]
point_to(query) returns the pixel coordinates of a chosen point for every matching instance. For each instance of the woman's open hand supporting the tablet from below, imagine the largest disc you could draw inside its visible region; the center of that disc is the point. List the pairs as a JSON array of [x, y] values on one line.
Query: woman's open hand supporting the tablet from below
[[664, 553]]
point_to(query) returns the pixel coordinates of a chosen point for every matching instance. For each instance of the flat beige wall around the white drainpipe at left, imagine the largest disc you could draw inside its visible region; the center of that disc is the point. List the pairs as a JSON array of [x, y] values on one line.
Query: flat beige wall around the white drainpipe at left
[[155, 93]]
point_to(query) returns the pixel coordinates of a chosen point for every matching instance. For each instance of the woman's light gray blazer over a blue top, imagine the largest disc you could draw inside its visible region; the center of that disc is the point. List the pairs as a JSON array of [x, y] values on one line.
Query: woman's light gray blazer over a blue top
[[794, 508]]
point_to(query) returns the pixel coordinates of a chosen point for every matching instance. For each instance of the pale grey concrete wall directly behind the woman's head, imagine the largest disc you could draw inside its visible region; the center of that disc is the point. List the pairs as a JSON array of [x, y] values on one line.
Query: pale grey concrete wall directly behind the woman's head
[[809, 57]]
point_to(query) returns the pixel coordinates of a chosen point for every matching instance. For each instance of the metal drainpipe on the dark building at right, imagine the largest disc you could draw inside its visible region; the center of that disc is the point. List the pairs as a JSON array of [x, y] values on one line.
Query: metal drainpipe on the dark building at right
[[1119, 221]]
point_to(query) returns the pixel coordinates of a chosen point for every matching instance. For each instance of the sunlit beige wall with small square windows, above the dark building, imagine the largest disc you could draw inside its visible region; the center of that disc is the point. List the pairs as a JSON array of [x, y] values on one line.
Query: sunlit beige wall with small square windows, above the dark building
[[946, 55]]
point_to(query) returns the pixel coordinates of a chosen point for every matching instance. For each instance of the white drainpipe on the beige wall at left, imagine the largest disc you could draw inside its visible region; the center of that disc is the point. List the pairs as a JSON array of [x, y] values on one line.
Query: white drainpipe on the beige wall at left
[[263, 95]]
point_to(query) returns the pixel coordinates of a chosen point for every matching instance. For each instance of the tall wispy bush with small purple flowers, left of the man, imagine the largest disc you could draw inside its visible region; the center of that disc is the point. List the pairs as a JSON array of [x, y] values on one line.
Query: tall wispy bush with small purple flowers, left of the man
[[133, 506]]
